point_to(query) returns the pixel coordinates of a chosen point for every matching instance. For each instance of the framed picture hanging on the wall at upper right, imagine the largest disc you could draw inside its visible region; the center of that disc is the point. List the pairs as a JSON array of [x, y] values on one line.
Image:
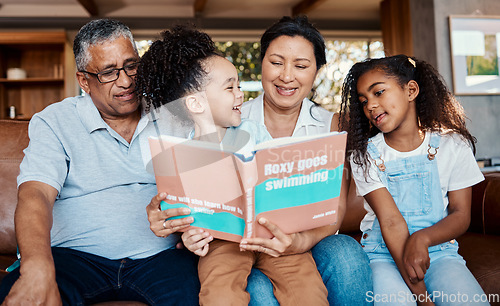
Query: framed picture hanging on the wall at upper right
[[475, 52]]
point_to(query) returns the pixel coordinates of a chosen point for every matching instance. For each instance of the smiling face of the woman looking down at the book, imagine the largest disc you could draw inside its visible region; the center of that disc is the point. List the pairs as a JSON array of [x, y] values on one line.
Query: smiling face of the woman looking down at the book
[[288, 72]]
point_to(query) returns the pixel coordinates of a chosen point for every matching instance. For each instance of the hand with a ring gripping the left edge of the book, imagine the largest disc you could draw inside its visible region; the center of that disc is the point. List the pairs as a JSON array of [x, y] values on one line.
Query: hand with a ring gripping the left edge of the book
[[158, 222]]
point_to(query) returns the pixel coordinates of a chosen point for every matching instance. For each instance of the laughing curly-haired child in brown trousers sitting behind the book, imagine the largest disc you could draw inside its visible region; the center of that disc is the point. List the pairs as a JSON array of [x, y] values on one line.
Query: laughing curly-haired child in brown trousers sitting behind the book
[[183, 72]]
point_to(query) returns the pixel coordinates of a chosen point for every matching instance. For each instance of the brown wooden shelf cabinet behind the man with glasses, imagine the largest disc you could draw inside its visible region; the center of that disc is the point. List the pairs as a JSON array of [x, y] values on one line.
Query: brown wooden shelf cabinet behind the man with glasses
[[47, 59]]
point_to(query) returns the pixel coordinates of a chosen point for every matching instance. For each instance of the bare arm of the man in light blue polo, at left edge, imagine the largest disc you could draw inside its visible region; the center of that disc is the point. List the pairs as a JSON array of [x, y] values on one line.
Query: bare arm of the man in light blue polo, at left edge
[[36, 284]]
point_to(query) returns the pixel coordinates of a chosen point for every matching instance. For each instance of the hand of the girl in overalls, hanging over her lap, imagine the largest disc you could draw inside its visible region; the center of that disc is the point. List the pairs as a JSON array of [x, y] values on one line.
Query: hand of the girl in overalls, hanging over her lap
[[416, 257]]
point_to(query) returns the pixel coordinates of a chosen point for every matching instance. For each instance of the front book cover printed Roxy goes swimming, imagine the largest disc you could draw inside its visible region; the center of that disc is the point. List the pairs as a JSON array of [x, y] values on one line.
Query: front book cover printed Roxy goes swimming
[[298, 185]]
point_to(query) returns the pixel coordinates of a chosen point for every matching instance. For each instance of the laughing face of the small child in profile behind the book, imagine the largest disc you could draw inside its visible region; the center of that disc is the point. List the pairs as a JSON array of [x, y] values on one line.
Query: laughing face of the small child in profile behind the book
[[223, 92]]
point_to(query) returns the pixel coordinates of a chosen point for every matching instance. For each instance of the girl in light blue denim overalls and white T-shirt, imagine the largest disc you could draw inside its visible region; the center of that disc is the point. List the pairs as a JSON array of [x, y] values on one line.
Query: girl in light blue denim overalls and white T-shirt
[[412, 160]]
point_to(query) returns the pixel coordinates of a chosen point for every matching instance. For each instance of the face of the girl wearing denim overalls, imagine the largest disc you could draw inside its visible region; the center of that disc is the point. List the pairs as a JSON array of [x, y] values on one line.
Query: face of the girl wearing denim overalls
[[389, 106]]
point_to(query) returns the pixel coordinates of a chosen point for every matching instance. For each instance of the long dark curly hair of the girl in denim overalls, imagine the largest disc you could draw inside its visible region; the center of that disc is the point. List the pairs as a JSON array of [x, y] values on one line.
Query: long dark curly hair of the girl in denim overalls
[[437, 108]]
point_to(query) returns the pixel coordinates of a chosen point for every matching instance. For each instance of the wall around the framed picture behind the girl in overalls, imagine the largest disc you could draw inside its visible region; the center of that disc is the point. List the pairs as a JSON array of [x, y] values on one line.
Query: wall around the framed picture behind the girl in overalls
[[431, 42]]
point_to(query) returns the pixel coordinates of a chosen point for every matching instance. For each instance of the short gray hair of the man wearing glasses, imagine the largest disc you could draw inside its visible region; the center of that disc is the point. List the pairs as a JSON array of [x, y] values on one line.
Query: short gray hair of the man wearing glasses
[[97, 32]]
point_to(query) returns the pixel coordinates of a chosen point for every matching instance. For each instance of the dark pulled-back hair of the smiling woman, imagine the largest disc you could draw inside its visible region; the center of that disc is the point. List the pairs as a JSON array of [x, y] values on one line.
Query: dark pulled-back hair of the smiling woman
[[297, 26]]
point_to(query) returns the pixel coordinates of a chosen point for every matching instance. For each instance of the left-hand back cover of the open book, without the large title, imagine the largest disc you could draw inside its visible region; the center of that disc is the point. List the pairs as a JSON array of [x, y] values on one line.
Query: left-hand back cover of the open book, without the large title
[[205, 180]]
